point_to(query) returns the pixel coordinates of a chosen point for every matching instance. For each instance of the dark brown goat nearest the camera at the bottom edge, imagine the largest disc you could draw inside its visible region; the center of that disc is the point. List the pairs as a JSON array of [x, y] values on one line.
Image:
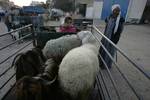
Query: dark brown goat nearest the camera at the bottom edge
[[36, 88]]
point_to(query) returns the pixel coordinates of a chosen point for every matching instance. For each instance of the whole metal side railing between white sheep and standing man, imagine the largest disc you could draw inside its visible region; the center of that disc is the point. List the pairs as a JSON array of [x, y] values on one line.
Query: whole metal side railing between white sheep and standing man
[[101, 77]]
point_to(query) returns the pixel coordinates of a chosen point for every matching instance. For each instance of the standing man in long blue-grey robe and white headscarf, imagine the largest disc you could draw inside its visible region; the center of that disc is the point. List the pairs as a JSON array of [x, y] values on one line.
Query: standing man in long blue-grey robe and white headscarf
[[113, 29]]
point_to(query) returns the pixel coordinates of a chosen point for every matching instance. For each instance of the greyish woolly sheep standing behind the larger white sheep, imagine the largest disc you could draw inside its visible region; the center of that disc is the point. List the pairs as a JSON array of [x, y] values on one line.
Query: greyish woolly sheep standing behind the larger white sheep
[[58, 48]]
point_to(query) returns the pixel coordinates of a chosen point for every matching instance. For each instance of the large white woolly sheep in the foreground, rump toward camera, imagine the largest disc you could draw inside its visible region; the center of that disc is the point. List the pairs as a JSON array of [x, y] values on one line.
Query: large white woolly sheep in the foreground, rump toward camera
[[79, 67]]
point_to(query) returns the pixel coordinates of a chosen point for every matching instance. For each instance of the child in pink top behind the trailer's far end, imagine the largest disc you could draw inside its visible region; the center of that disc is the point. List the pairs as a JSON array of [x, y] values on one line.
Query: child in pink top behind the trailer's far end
[[68, 26]]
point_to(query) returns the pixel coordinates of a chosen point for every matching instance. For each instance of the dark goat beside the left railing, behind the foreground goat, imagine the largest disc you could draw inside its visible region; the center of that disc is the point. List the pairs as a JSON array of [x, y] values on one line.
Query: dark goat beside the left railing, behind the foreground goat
[[29, 63]]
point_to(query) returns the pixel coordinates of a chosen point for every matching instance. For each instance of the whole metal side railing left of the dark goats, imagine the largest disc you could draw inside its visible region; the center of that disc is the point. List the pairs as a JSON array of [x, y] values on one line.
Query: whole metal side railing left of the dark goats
[[13, 54]]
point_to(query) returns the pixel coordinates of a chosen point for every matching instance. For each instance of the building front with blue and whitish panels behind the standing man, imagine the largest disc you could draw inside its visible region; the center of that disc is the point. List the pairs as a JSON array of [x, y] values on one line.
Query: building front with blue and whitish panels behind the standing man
[[131, 10]]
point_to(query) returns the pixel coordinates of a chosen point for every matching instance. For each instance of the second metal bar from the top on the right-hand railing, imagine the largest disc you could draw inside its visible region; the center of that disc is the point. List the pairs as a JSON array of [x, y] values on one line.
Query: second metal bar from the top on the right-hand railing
[[119, 69]]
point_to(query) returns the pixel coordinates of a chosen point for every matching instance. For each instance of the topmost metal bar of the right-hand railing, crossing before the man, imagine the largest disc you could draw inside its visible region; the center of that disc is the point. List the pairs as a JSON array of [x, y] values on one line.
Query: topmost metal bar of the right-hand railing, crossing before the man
[[124, 54]]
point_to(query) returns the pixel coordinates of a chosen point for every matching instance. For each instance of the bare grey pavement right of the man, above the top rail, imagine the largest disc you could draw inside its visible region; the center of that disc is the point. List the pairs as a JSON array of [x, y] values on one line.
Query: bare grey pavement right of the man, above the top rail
[[135, 41]]
